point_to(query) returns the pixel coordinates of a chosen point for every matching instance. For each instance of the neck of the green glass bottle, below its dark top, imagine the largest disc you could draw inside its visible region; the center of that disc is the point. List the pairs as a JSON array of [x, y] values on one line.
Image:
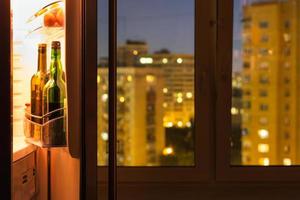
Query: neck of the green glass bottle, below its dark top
[[56, 67]]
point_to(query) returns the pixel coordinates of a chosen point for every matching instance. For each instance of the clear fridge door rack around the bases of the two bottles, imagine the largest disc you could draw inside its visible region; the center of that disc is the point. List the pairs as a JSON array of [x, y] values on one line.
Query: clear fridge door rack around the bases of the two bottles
[[46, 131]]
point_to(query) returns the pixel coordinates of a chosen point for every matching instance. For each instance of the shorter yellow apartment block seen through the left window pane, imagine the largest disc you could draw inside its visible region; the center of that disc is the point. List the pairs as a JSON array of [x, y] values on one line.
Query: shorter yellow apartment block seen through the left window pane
[[141, 136]]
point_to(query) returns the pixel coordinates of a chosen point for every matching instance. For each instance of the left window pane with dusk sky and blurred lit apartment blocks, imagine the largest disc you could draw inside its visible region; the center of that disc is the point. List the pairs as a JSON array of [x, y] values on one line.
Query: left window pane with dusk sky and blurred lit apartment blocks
[[155, 84]]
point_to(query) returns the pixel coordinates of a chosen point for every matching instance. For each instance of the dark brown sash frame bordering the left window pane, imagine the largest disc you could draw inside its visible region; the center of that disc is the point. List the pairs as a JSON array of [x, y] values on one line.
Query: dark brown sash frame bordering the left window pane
[[205, 17]]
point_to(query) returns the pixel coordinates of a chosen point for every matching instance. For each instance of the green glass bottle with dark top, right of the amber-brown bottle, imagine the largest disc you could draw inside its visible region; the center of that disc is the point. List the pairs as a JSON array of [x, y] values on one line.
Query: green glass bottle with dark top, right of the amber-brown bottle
[[54, 94]]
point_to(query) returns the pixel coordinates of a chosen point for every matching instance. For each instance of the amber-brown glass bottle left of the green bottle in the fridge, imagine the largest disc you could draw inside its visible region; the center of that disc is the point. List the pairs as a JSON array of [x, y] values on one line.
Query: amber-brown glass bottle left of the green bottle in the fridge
[[38, 82]]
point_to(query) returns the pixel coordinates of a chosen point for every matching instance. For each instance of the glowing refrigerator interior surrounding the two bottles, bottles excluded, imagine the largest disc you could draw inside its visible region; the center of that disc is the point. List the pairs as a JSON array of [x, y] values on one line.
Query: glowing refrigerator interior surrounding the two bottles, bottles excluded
[[29, 27]]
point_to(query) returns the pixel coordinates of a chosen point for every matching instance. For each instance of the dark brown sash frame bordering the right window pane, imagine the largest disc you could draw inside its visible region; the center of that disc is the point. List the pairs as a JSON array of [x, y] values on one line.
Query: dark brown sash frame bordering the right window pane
[[224, 170]]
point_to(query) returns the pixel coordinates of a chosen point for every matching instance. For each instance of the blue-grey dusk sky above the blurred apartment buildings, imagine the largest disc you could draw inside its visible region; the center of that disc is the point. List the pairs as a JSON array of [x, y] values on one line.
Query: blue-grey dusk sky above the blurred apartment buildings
[[162, 23]]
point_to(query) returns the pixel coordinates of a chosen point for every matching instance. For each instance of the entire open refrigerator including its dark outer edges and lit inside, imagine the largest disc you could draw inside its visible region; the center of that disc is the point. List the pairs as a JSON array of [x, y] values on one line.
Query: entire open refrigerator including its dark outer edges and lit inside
[[33, 164]]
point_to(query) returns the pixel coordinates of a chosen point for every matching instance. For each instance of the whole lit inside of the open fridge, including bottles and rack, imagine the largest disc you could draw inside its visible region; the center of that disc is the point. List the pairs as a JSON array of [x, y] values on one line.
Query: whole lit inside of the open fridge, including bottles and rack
[[41, 159]]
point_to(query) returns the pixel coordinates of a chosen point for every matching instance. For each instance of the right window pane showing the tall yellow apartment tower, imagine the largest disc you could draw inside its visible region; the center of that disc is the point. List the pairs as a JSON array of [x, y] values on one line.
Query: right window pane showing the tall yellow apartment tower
[[265, 83]]
